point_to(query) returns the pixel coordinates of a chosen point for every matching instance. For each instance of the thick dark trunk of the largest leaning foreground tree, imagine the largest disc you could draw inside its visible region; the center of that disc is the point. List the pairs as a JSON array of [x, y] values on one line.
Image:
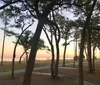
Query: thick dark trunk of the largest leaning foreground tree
[[32, 56]]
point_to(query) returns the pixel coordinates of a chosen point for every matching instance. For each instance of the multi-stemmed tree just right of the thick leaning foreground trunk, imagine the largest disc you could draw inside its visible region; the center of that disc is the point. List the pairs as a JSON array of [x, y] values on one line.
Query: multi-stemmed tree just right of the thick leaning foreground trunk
[[54, 30]]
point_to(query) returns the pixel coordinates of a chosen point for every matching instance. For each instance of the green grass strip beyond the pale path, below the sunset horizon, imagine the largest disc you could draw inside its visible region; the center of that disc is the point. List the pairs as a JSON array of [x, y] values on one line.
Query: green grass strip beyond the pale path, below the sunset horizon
[[7, 65]]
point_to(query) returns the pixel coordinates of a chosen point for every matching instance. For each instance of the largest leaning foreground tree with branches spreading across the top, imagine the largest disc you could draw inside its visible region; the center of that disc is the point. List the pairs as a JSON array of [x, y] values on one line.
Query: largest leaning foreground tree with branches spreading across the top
[[39, 9]]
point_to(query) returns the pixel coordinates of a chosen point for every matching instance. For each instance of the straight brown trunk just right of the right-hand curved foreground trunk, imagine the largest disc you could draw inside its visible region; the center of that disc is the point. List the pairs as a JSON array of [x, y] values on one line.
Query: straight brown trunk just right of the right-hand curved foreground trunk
[[89, 52]]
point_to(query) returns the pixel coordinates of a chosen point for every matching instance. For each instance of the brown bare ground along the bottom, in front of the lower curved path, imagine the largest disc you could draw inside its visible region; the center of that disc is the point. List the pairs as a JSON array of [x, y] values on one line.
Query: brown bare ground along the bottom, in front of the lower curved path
[[37, 80]]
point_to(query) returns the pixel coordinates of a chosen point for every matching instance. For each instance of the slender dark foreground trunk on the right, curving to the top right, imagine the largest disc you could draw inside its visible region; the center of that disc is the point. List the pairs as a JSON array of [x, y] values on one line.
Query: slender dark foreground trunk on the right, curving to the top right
[[86, 25]]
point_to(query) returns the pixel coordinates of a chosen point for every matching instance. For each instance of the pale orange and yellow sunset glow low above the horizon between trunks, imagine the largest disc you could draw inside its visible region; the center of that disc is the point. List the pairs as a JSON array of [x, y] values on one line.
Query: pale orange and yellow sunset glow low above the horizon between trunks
[[41, 55]]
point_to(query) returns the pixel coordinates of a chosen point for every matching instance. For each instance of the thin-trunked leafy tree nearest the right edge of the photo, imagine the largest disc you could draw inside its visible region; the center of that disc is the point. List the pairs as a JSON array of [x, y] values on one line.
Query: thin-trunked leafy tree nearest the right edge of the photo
[[95, 40]]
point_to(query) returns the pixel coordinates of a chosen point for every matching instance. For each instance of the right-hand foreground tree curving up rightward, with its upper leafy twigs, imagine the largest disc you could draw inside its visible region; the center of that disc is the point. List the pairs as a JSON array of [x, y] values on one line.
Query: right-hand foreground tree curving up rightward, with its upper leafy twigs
[[88, 14]]
